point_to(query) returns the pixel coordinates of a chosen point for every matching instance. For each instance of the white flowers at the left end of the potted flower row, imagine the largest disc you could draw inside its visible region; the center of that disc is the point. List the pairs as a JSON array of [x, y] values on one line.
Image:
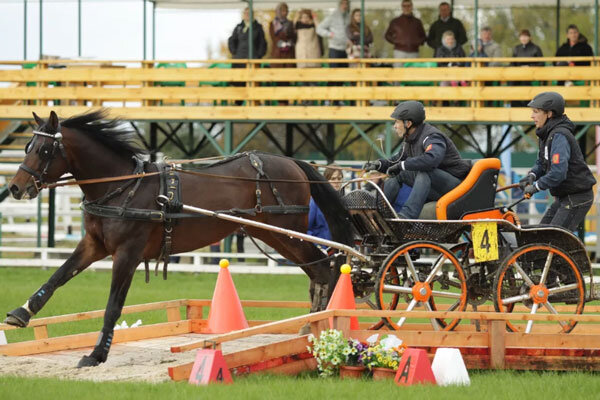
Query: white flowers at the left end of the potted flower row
[[330, 350]]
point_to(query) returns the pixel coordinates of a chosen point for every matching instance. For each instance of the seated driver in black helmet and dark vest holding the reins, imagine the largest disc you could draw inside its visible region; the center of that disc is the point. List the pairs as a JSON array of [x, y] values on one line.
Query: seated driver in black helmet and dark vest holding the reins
[[428, 161]]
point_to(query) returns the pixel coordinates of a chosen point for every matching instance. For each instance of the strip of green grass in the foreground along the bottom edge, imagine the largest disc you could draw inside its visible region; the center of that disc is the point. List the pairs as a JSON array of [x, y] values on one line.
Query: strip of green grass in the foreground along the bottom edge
[[485, 385]]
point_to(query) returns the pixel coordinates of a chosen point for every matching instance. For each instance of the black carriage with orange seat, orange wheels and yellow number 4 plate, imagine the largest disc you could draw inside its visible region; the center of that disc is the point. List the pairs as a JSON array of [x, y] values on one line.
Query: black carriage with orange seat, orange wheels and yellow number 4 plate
[[465, 250]]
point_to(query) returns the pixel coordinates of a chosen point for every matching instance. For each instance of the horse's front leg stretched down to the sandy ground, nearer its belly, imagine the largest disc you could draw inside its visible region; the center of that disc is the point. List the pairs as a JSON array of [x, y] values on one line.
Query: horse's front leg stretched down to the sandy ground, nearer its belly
[[124, 267]]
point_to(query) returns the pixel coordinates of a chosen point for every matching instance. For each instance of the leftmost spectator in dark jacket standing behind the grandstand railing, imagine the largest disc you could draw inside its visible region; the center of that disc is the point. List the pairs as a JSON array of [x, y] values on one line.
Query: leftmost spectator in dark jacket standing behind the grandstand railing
[[238, 41]]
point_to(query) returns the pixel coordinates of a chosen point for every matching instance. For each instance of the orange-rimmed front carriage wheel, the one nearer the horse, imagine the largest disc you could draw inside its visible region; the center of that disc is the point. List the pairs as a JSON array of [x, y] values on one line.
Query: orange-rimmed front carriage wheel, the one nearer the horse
[[421, 274]]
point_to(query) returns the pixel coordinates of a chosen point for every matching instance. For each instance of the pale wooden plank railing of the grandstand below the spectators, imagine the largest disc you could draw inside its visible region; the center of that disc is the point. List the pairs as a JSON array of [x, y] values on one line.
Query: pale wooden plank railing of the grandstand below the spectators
[[201, 93]]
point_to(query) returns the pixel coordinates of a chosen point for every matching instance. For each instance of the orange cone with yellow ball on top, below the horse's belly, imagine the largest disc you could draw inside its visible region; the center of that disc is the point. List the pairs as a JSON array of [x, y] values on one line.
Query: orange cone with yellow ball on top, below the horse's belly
[[226, 313]]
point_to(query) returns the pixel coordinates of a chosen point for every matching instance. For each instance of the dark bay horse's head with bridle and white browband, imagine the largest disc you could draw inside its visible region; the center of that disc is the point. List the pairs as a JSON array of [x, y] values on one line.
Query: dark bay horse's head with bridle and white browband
[[45, 159]]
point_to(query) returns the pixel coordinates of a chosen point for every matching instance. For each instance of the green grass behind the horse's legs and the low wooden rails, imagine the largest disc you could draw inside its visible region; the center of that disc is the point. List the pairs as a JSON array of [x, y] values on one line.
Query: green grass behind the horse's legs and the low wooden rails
[[89, 291]]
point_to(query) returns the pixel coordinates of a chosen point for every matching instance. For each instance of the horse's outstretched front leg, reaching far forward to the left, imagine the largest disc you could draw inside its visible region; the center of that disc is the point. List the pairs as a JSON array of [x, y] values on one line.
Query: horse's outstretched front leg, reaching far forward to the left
[[86, 252]]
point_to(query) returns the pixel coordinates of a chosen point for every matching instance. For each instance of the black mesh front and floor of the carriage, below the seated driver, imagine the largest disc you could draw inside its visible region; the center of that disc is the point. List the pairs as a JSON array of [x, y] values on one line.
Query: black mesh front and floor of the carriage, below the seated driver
[[371, 215]]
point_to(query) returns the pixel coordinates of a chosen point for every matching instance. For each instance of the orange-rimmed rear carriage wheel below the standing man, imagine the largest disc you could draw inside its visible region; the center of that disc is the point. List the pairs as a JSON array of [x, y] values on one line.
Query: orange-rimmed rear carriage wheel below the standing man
[[540, 276]]
